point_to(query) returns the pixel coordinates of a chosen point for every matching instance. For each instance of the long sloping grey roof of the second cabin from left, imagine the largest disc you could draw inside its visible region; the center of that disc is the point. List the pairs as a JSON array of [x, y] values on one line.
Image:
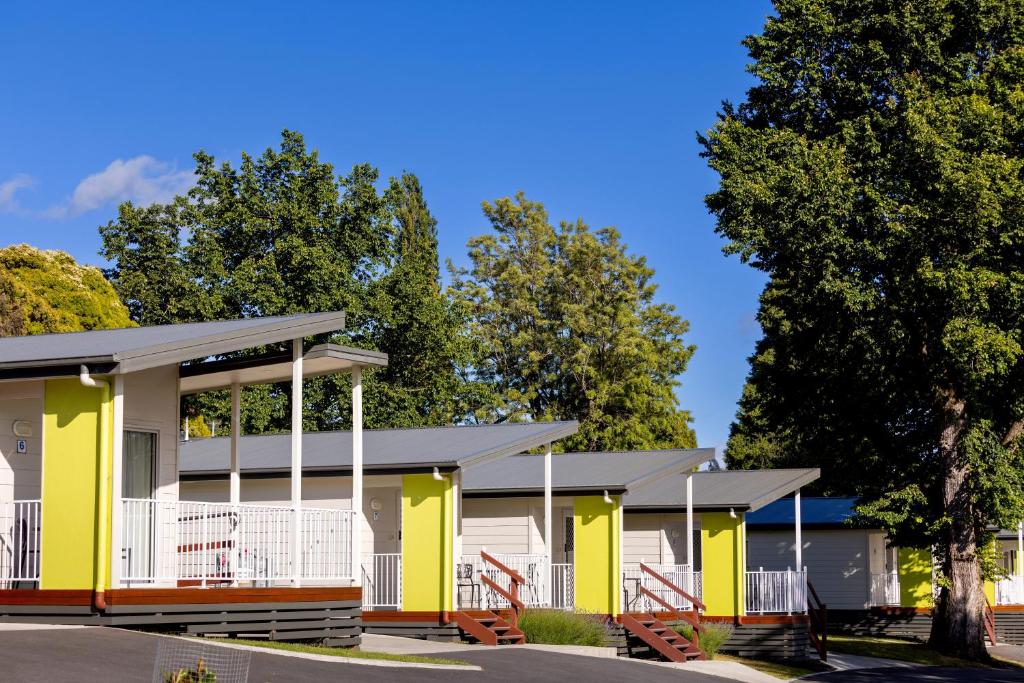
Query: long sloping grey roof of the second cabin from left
[[382, 449]]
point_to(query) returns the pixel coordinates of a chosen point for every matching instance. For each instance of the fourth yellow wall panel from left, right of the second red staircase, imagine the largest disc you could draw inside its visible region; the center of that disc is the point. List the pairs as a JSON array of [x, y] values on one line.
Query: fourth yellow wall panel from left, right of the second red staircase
[[723, 564]]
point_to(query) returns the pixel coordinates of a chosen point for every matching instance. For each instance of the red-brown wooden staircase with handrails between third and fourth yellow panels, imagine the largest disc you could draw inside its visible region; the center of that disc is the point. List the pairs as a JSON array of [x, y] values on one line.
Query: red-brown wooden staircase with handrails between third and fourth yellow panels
[[654, 633]]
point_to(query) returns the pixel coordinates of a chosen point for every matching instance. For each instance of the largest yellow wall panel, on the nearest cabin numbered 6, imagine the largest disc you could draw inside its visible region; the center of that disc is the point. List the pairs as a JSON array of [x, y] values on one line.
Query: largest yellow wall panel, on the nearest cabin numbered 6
[[73, 436]]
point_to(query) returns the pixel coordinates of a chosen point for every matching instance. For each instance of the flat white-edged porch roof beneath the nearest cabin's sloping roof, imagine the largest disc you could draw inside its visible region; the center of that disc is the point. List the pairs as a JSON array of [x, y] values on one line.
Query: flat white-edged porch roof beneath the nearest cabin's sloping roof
[[276, 367]]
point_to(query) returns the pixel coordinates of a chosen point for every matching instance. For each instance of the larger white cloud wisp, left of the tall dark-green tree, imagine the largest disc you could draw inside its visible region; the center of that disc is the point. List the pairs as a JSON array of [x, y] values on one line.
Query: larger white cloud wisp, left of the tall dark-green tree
[[143, 181]]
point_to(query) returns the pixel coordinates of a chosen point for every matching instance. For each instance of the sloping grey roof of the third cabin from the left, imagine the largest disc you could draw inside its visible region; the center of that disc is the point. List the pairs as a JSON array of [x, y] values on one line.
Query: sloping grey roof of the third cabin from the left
[[581, 472]]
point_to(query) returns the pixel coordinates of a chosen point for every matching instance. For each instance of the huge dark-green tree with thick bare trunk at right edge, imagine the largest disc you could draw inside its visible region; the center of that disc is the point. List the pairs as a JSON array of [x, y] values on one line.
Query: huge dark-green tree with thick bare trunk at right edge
[[875, 173]]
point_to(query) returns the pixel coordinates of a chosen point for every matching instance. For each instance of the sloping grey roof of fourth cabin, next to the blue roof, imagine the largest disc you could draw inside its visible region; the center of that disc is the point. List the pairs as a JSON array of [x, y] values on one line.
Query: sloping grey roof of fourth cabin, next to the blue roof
[[741, 490]]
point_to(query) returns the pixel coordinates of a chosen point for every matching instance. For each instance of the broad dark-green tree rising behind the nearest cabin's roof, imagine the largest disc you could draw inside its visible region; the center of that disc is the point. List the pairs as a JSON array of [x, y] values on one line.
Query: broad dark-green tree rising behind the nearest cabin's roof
[[283, 234]]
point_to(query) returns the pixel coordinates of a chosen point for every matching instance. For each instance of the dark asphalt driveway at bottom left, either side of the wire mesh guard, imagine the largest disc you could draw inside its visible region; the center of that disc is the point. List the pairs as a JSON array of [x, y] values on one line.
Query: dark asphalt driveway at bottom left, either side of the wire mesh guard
[[82, 656]]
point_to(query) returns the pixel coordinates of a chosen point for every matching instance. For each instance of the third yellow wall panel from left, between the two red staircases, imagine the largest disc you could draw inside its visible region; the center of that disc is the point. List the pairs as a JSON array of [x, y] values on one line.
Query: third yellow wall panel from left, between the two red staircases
[[598, 581]]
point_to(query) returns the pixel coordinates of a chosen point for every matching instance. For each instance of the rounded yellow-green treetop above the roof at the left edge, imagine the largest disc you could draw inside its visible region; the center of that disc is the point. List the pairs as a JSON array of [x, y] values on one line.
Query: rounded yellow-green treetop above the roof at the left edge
[[47, 292]]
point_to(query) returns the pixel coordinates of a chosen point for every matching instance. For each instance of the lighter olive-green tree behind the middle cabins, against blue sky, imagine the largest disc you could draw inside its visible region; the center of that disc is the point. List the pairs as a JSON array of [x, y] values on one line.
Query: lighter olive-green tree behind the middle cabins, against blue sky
[[568, 328]]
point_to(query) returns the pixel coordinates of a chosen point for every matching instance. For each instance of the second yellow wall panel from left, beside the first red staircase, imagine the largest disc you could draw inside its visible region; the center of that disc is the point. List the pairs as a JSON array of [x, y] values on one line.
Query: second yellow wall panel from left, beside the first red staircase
[[428, 572]]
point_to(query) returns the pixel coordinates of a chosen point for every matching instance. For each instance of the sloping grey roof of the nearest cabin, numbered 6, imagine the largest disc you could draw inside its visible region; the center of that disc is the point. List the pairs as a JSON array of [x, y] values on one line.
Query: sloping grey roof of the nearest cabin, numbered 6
[[140, 349]]
